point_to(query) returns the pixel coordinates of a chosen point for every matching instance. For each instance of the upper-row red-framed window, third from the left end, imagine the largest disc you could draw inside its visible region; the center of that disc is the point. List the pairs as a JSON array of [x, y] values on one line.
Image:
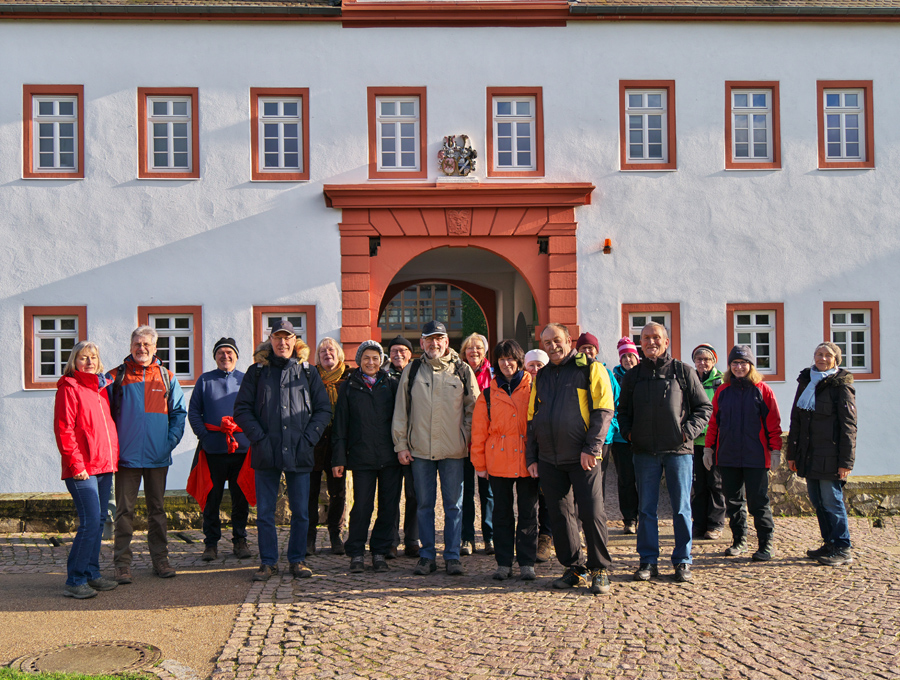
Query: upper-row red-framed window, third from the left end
[[279, 137]]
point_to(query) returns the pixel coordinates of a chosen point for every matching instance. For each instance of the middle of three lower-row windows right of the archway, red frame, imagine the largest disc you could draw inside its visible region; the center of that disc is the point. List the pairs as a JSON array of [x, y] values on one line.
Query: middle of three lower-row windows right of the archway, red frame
[[762, 327]]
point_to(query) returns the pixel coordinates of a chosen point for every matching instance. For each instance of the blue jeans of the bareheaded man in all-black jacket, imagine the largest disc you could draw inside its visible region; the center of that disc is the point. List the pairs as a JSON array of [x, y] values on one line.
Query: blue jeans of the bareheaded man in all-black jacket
[[648, 469]]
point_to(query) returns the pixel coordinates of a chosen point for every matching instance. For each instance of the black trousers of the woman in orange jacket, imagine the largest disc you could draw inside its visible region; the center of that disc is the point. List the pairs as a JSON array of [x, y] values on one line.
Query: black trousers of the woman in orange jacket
[[508, 533]]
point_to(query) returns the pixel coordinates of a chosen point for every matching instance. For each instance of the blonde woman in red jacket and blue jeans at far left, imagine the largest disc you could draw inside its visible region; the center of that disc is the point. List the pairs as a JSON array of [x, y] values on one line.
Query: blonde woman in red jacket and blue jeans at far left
[[87, 441]]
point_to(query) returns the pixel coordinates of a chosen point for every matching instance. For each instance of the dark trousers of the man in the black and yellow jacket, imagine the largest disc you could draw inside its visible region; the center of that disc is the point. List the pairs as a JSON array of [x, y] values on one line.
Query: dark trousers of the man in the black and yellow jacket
[[559, 485]]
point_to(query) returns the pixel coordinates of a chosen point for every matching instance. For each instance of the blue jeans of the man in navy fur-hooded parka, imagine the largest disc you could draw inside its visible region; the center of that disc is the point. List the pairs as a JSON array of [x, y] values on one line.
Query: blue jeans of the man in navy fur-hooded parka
[[298, 500]]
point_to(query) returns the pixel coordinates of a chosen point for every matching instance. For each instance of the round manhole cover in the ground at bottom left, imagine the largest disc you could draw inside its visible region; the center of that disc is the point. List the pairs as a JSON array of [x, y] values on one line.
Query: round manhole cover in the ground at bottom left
[[91, 658]]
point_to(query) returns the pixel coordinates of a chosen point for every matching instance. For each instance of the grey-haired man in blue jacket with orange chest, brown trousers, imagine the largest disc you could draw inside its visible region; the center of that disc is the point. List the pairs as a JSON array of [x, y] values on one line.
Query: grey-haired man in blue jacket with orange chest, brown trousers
[[148, 409]]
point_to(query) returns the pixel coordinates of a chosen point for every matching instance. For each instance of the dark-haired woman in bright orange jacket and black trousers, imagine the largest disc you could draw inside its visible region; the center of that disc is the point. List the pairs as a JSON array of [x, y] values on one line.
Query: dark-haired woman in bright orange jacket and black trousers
[[498, 453]]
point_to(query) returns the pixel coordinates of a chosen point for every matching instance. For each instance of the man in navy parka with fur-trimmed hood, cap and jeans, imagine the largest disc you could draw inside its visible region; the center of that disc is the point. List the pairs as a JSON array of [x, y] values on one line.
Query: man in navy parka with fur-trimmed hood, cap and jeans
[[283, 408]]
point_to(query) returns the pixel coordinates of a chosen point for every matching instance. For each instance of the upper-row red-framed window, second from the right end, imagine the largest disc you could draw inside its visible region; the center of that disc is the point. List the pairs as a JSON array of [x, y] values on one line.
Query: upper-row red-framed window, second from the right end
[[752, 129]]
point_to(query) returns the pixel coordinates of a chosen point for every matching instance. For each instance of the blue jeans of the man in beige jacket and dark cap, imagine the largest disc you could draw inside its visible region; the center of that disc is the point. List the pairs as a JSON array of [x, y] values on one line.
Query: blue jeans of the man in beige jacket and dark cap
[[425, 474]]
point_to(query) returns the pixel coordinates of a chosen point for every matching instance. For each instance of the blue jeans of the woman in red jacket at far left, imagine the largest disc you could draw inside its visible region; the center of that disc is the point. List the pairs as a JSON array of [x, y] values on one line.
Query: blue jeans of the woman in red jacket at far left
[[91, 497]]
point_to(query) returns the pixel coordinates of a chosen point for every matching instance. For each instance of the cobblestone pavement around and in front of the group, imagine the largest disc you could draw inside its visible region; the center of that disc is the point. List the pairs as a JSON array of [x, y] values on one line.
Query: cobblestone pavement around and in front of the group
[[789, 618]]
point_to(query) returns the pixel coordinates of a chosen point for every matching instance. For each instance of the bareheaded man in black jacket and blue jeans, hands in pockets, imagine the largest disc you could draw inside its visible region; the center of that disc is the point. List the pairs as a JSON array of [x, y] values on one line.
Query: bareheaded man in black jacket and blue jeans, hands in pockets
[[662, 409]]
